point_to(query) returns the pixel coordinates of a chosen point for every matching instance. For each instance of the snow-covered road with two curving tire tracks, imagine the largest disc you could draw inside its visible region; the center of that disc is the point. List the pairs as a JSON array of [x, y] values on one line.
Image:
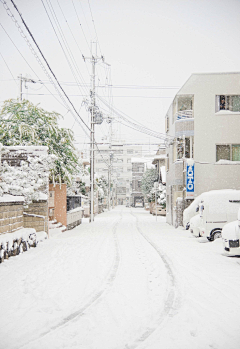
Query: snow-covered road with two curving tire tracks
[[124, 281]]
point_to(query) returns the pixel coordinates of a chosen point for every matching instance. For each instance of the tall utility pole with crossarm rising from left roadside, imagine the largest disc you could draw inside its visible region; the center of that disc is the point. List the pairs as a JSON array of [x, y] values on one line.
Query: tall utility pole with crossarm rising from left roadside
[[94, 59]]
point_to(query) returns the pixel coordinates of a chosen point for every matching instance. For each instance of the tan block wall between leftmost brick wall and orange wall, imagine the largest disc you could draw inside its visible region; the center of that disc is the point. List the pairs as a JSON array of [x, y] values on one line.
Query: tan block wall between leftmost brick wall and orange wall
[[37, 208]]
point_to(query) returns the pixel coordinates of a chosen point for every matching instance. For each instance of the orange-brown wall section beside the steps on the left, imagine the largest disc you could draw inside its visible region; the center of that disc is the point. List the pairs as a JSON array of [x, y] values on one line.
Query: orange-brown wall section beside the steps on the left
[[60, 202]]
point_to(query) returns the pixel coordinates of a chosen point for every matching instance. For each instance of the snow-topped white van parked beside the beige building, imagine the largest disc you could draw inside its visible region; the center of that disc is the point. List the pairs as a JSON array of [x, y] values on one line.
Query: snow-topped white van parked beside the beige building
[[217, 208]]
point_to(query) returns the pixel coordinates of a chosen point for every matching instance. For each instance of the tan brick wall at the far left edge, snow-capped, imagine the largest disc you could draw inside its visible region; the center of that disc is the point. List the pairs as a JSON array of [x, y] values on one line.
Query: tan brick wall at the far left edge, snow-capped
[[11, 216]]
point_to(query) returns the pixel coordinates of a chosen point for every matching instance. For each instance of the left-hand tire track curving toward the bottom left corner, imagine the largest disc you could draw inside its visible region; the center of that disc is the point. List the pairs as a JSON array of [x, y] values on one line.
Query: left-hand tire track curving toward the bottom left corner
[[96, 296]]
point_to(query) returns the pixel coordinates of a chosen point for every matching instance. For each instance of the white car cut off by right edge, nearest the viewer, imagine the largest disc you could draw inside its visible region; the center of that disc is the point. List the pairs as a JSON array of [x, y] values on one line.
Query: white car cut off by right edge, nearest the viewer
[[231, 237]]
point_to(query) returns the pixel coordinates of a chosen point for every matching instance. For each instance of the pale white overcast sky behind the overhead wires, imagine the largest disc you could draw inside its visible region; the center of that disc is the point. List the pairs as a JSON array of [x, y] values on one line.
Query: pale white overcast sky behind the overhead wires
[[148, 43]]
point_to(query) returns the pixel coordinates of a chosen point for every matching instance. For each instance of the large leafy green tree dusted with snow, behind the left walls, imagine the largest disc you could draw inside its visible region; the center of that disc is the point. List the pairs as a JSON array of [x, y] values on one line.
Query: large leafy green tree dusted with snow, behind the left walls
[[23, 123]]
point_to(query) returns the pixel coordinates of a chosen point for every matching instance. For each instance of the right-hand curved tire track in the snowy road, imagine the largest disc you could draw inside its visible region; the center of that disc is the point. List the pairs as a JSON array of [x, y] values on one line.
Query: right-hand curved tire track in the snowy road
[[169, 307]]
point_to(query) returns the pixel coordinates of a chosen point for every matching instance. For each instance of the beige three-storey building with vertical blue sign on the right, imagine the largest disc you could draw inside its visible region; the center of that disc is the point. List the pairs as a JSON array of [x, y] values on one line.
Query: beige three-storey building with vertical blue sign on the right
[[203, 153]]
